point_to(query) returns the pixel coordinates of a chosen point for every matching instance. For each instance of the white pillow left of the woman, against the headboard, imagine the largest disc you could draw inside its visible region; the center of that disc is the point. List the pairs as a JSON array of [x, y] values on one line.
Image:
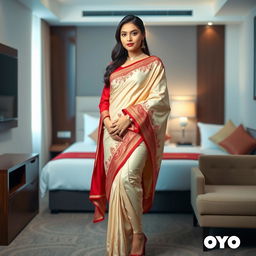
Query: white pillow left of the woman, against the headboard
[[91, 122]]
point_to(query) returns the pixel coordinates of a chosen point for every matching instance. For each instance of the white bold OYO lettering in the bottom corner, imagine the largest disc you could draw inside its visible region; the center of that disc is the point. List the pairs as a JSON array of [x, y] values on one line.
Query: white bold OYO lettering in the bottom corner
[[233, 242]]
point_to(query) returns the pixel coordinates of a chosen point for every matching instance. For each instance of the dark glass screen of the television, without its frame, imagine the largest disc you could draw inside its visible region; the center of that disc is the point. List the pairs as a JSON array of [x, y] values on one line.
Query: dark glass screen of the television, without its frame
[[8, 87]]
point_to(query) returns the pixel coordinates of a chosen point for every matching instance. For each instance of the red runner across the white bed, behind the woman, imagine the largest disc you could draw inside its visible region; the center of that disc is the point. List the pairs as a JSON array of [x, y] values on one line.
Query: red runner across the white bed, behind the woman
[[186, 156]]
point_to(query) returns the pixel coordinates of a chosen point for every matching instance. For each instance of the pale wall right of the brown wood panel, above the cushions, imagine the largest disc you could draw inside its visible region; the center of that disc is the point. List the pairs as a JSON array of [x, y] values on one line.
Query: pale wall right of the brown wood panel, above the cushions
[[240, 106]]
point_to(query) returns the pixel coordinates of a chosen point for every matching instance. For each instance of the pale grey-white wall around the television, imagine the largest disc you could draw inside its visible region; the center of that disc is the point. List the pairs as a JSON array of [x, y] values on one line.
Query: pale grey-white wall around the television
[[15, 31]]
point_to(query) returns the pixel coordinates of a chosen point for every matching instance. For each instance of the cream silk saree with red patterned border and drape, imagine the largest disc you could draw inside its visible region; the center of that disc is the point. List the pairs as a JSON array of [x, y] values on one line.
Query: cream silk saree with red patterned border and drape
[[125, 173]]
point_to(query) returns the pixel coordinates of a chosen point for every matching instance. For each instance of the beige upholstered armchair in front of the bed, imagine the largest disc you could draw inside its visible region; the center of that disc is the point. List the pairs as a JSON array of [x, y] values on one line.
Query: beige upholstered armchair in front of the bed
[[223, 192]]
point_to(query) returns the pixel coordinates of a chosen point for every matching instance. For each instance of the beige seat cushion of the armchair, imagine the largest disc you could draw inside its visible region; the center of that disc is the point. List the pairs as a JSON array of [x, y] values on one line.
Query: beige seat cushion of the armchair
[[227, 200]]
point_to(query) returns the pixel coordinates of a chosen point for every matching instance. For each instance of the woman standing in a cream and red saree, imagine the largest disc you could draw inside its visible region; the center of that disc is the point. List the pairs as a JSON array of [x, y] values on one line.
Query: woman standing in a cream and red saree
[[134, 107]]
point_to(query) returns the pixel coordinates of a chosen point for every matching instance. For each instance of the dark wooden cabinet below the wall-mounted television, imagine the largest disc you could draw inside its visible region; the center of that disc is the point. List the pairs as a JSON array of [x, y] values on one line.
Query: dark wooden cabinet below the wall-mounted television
[[19, 197]]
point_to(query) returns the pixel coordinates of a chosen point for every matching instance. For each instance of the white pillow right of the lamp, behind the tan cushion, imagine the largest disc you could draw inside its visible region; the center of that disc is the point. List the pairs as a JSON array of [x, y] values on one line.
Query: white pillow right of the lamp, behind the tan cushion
[[206, 131]]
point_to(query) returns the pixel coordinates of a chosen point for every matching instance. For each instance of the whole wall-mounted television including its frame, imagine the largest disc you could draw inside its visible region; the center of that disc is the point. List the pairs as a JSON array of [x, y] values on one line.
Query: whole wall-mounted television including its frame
[[8, 87]]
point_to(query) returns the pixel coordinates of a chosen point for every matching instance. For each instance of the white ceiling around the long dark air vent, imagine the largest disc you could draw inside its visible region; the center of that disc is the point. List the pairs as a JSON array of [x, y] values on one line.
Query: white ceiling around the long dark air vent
[[69, 12]]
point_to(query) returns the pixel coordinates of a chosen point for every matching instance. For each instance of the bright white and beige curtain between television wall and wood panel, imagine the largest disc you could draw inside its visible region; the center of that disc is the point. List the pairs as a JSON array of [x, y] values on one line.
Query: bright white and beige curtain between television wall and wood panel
[[40, 90]]
